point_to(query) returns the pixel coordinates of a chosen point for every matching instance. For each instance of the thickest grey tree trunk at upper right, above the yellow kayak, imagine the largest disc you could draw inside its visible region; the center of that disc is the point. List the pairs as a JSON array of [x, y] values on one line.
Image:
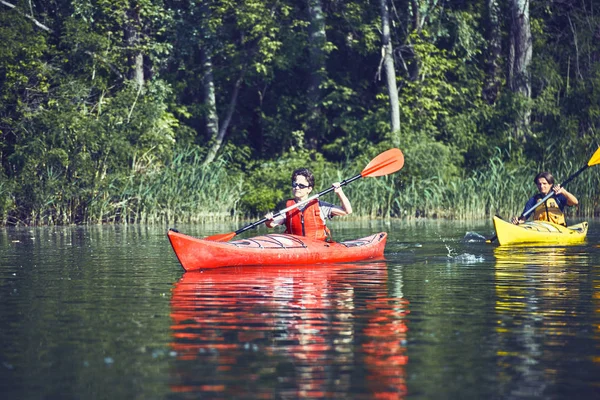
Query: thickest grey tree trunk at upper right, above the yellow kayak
[[520, 54]]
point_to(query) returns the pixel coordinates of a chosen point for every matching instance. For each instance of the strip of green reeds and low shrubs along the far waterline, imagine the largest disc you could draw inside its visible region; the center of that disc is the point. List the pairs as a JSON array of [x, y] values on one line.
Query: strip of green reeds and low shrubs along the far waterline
[[185, 191]]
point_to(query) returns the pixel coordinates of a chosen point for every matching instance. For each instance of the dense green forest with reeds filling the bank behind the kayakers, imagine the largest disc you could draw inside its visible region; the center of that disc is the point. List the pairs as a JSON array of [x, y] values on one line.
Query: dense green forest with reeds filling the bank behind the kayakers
[[154, 111]]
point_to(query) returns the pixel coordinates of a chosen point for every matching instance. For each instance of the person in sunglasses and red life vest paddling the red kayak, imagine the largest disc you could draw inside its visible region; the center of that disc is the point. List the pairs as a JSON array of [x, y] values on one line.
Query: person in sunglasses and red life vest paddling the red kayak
[[309, 219]]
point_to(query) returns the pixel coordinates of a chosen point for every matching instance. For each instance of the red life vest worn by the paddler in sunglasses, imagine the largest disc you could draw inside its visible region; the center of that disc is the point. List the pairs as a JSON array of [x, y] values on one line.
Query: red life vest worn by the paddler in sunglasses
[[307, 222]]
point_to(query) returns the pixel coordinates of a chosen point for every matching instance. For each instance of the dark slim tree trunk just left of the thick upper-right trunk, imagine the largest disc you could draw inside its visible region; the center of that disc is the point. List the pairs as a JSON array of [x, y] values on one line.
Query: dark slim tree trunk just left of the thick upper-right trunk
[[491, 85]]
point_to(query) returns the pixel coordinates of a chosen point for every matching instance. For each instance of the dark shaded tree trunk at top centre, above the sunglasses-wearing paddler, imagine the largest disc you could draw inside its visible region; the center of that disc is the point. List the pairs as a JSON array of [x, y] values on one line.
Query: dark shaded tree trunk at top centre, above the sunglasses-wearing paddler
[[317, 39]]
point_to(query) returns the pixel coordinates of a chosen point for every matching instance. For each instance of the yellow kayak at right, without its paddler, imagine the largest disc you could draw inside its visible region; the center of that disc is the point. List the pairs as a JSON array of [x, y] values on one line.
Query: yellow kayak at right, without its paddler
[[538, 232]]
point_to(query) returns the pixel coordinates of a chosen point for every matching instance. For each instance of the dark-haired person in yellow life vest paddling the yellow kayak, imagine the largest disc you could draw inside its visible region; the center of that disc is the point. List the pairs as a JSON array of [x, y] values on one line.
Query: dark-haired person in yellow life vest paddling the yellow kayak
[[552, 209]]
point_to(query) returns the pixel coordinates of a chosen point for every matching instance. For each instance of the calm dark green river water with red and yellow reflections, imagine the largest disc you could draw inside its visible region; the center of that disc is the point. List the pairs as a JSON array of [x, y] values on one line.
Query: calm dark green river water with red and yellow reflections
[[106, 312]]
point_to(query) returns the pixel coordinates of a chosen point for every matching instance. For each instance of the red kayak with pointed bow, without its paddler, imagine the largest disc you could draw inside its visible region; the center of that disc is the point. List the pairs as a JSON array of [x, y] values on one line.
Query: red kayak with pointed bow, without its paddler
[[272, 249]]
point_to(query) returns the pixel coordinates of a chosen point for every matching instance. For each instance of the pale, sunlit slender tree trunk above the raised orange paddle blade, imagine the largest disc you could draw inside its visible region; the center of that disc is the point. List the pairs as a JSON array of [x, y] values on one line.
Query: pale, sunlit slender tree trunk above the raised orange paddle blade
[[388, 64]]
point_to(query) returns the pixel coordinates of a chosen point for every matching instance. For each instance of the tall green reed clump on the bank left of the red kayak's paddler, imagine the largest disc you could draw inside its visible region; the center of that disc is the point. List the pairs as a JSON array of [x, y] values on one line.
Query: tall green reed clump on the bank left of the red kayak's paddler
[[183, 190]]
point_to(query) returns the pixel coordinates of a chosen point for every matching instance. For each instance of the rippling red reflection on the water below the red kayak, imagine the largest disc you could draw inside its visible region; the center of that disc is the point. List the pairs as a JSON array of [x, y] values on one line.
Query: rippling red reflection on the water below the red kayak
[[289, 332]]
